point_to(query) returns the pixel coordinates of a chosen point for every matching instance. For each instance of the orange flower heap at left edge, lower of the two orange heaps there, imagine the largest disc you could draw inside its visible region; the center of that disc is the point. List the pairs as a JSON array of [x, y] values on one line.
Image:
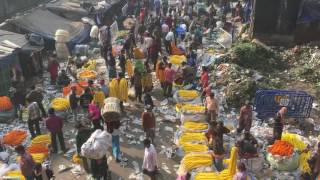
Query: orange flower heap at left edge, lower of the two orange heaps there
[[14, 137]]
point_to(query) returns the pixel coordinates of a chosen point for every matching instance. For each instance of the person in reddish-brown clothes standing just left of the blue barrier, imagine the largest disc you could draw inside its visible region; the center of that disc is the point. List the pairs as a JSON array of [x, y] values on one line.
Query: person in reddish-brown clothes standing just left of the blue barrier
[[245, 119]]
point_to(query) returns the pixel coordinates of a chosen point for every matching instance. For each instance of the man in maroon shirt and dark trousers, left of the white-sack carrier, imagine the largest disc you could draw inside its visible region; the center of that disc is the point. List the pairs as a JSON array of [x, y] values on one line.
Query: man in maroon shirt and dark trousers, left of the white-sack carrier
[[54, 124]]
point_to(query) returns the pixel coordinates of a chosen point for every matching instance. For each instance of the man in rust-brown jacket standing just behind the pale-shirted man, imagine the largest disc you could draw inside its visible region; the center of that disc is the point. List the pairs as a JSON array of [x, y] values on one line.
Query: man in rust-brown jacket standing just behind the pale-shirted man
[[149, 123]]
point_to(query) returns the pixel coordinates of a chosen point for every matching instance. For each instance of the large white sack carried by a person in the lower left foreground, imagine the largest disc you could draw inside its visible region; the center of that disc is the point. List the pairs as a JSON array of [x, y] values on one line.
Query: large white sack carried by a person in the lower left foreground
[[97, 145]]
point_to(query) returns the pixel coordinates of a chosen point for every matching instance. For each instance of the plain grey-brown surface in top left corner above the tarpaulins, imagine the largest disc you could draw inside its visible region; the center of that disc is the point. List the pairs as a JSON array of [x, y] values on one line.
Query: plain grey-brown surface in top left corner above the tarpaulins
[[9, 7]]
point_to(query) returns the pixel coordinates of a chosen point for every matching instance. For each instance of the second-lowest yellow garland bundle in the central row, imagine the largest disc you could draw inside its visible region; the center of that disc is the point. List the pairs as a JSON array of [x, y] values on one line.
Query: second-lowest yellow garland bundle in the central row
[[195, 160]]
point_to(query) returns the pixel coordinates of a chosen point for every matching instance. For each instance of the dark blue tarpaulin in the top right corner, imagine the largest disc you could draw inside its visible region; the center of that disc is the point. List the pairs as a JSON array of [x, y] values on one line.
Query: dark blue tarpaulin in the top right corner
[[309, 11]]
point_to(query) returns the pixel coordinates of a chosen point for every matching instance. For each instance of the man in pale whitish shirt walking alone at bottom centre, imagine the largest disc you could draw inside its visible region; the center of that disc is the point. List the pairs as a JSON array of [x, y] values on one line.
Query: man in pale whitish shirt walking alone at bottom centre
[[149, 165]]
